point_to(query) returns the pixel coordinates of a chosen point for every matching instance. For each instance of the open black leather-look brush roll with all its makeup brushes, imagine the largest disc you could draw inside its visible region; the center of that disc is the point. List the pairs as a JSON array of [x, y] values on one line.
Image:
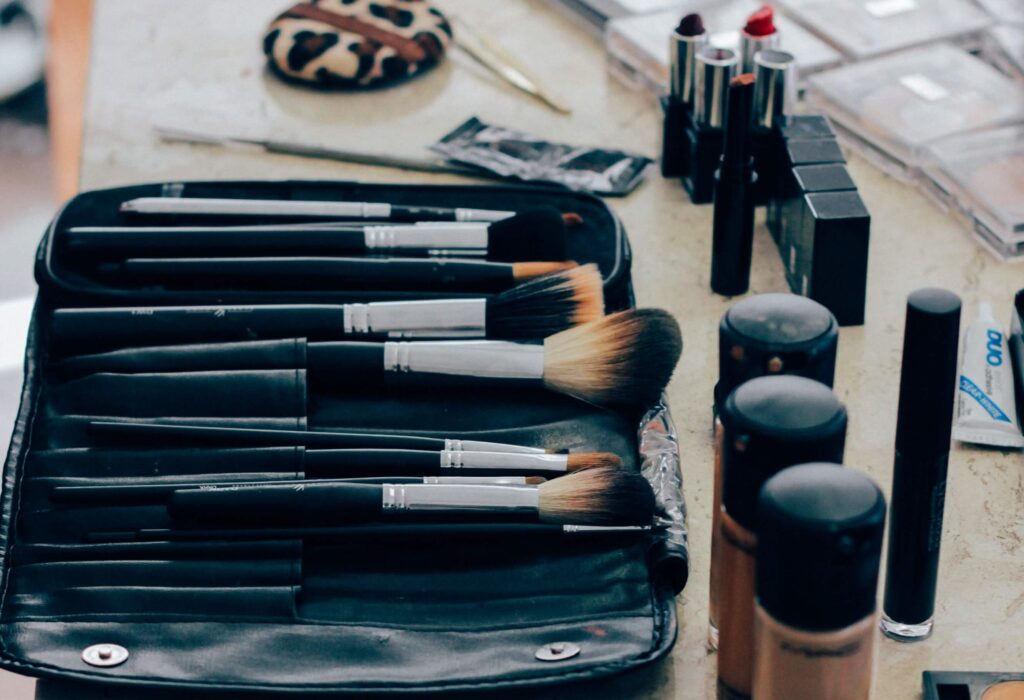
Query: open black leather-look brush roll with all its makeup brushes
[[334, 426]]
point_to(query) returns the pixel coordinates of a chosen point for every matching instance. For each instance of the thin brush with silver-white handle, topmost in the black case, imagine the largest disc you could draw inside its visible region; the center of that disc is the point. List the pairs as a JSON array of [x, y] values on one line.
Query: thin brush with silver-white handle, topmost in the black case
[[302, 209]]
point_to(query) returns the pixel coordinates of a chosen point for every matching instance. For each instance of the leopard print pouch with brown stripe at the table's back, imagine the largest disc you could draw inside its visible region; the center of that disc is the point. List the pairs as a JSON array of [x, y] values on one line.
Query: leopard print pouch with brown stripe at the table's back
[[356, 43]]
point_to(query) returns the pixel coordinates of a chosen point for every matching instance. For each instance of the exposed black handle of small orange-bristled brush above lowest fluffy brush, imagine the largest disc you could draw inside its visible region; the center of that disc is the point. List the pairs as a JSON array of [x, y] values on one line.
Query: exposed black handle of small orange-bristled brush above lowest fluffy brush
[[339, 464]]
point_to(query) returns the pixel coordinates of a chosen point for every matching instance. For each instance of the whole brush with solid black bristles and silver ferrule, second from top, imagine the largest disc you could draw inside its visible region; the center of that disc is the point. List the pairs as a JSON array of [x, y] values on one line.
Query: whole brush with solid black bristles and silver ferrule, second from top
[[533, 235]]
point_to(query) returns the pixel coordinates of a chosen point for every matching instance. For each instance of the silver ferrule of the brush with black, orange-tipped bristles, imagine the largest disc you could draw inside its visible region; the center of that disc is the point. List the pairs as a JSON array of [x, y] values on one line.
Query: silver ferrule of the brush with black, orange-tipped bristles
[[436, 319]]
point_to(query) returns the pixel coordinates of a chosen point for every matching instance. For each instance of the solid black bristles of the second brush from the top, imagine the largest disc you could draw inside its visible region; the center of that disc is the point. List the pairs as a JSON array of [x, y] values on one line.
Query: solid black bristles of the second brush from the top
[[533, 235]]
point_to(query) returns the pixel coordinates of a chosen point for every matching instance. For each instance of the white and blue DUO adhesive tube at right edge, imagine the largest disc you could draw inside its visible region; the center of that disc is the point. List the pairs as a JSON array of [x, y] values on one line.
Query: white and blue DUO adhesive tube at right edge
[[987, 406]]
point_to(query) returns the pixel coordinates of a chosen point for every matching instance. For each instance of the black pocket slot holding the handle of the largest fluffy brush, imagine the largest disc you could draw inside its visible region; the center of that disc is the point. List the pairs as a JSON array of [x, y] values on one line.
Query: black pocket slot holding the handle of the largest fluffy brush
[[269, 355]]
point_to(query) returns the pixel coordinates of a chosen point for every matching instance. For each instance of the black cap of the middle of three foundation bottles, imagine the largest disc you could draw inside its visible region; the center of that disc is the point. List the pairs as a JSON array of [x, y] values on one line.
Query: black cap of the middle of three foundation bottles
[[773, 423]]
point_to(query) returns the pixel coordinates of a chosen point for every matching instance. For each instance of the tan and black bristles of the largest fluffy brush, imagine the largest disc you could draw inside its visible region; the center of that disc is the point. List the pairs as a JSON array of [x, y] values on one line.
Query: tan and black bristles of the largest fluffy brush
[[625, 359]]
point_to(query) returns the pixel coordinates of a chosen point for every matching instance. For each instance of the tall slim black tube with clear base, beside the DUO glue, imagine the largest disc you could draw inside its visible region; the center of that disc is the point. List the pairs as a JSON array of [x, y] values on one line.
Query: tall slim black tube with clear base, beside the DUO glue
[[924, 425]]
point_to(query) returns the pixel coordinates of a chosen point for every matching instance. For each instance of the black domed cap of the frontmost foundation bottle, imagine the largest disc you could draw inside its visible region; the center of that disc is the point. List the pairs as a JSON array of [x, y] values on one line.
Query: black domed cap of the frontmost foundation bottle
[[820, 546]]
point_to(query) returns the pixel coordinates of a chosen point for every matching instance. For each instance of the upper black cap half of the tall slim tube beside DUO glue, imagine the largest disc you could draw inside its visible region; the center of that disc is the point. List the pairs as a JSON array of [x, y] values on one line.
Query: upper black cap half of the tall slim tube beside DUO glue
[[928, 380]]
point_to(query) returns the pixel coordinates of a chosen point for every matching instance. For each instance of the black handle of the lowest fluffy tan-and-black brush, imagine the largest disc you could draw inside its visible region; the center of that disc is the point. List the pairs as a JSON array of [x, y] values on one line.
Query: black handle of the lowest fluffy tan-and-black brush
[[321, 505]]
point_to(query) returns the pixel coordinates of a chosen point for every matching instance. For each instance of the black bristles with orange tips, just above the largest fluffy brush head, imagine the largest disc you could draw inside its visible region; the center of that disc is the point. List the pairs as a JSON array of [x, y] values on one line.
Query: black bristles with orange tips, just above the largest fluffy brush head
[[545, 305]]
